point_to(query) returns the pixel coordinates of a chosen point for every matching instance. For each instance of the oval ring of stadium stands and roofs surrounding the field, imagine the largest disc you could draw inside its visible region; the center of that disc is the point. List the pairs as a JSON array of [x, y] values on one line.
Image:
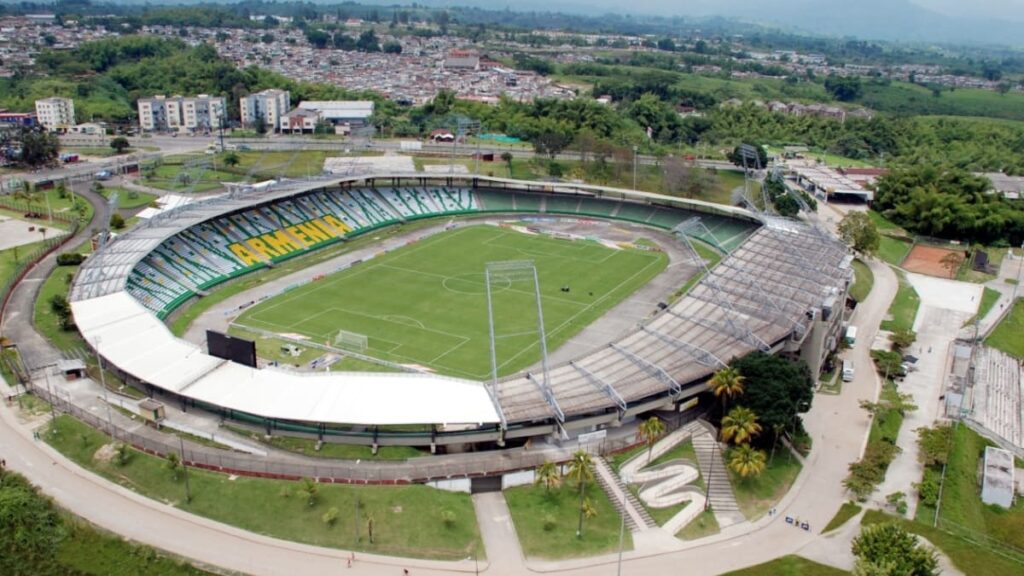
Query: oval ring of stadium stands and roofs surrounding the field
[[781, 287]]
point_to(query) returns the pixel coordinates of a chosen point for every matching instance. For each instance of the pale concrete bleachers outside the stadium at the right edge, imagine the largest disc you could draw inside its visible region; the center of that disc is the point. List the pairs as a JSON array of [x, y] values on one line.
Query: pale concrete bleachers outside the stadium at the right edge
[[997, 405]]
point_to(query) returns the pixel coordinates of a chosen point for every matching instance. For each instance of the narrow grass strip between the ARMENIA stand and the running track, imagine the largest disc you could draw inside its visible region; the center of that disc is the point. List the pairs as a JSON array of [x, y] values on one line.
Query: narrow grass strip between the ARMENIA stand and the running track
[[182, 321]]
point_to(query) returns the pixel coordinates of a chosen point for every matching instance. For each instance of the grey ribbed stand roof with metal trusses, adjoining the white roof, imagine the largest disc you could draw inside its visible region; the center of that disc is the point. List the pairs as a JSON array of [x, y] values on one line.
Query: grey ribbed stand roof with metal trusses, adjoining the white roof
[[754, 299]]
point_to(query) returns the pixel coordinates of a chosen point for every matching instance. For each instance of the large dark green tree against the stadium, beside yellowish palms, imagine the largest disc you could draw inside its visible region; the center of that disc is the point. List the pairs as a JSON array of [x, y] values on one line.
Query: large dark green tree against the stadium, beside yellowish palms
[[777, 390]]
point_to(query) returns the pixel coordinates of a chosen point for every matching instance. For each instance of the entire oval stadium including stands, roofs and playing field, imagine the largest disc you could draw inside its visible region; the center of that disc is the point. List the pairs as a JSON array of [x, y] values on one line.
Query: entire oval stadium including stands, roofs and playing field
[[781, 287]]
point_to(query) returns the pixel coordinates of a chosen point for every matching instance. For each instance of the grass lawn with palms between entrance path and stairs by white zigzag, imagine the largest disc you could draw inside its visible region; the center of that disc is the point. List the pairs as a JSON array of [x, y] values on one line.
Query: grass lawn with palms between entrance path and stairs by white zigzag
[[531, 506]]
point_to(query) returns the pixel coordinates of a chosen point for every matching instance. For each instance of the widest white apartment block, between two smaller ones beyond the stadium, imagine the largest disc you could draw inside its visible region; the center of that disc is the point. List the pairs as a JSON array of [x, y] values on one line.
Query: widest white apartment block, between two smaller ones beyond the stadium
[[183, 114]]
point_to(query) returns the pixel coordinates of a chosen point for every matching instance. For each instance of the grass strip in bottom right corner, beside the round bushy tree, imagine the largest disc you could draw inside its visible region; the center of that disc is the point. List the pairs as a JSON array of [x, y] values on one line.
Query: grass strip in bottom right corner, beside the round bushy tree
[[970, 556]]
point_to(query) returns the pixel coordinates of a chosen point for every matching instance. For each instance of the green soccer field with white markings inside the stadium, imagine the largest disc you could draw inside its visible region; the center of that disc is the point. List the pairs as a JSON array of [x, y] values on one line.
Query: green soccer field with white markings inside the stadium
[[426, 304]]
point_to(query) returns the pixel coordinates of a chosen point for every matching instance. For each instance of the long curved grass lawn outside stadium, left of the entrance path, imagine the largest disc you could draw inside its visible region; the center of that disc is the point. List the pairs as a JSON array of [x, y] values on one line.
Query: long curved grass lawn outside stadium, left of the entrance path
[[407, 520]]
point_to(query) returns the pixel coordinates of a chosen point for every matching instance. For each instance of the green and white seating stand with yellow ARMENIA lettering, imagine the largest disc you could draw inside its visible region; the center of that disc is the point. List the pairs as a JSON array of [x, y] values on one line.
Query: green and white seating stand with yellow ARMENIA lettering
[[214, 252]]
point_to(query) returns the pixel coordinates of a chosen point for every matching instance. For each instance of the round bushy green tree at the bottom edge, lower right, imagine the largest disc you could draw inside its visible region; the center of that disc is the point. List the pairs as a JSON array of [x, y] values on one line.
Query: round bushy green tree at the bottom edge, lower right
[[888, 549]]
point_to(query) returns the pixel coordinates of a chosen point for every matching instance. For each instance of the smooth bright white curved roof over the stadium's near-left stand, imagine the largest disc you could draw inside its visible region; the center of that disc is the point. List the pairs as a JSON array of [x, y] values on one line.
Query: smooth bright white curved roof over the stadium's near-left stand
[[134, 340]]
